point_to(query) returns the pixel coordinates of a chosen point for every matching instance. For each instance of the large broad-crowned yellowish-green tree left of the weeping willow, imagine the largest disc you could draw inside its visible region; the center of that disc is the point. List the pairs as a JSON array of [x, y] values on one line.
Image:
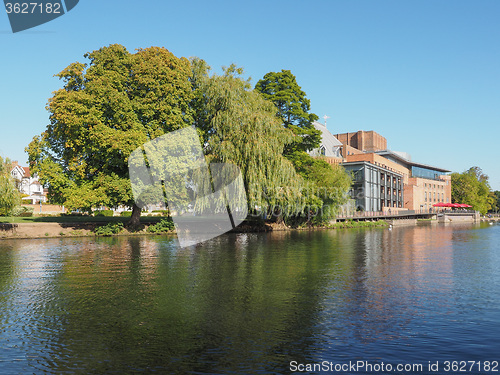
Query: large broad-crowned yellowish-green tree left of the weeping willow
[[107, 108]]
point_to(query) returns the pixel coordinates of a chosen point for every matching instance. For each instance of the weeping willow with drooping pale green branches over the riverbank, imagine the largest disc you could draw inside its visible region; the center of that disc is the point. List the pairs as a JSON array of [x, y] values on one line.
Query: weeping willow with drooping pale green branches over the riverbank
[[239, 126]]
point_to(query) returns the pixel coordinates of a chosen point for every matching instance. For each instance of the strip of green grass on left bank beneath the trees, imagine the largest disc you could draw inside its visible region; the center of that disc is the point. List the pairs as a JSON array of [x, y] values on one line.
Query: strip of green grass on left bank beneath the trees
[[73, 219]]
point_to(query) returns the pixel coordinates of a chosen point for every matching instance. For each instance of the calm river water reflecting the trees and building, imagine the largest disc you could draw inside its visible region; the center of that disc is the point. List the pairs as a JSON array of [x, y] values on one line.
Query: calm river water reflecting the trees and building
[[263, 303]]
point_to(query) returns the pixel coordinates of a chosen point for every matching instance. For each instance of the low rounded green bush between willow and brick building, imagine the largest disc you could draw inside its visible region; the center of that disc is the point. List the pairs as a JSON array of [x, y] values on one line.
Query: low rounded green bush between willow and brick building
[[326, 186]]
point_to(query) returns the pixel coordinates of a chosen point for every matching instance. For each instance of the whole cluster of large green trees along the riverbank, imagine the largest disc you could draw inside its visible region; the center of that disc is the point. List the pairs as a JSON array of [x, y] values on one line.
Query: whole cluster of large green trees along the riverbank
[[118, 101]]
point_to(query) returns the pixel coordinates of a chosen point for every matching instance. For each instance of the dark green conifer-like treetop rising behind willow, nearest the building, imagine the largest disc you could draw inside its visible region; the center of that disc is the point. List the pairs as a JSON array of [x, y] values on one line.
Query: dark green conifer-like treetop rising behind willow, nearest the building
[[293, 108]]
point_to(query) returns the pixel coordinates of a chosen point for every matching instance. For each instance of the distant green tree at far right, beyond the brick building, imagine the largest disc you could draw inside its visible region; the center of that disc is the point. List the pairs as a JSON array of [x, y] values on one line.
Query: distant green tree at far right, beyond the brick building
[[472, 187]]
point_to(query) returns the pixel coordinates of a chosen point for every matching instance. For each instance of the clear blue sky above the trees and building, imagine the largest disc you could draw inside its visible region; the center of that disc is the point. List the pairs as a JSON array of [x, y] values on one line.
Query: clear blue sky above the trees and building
[[424, 74]]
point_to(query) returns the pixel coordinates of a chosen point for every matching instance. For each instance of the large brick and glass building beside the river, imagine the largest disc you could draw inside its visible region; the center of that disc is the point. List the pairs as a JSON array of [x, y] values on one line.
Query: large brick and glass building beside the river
[[385, 179]]
